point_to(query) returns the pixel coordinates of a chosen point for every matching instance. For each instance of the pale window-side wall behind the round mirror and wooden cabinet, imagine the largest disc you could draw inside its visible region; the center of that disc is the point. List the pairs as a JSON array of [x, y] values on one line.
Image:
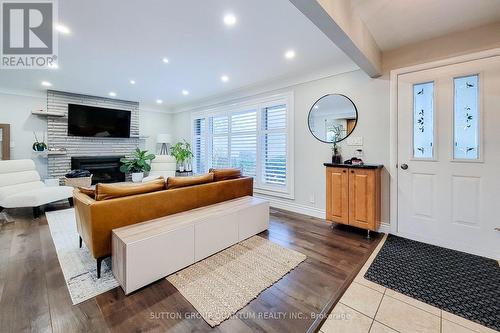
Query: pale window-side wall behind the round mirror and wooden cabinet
[[371, 97]]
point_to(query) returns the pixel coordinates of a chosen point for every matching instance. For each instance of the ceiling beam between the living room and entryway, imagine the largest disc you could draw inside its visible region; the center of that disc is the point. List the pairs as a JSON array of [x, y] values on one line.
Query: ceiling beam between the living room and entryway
[[337, 20]]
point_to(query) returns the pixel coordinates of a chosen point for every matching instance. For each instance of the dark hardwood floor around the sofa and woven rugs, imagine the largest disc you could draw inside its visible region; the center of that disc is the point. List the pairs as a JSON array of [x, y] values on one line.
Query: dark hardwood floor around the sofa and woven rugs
[[34, 297]]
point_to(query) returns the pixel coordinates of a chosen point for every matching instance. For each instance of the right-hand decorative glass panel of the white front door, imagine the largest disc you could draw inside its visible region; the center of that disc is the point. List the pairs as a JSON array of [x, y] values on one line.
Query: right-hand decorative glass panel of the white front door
[[466, 118]]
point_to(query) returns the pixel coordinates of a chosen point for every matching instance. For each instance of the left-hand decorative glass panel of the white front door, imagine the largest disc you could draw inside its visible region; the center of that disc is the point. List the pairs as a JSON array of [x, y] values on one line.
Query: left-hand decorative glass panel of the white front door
[[423, 120]]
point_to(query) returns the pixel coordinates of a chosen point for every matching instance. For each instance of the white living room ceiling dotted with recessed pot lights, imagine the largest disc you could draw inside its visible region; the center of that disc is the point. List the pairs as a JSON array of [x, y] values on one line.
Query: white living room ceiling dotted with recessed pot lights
[[114, 41]]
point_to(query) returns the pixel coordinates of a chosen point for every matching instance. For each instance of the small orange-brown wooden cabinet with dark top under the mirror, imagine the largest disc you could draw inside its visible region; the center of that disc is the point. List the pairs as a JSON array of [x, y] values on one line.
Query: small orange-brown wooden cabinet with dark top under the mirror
[[353, 195]]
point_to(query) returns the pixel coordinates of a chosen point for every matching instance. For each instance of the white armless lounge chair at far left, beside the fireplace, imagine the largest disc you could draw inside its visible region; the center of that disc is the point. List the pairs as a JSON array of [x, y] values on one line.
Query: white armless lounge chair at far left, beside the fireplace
[[20, 186]]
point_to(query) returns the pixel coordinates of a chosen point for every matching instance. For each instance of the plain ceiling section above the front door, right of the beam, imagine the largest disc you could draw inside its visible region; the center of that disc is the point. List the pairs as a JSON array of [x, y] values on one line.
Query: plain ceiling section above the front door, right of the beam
[[394, 23]]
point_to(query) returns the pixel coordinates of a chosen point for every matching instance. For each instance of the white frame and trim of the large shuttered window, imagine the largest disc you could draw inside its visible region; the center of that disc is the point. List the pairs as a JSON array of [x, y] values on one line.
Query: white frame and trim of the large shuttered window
[[257, 104]]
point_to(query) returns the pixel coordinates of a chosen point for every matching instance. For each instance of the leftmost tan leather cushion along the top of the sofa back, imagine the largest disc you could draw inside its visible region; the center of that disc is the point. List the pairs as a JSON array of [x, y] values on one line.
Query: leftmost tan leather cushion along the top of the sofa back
[[110, 191]]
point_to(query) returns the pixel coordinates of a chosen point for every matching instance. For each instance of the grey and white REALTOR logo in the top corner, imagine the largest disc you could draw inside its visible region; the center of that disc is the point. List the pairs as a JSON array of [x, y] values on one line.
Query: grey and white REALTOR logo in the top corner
[[28, 37]]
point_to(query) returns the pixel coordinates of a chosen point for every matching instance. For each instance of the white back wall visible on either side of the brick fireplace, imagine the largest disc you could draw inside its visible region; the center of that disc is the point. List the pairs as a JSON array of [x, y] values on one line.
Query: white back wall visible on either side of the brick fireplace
[[16, 111]]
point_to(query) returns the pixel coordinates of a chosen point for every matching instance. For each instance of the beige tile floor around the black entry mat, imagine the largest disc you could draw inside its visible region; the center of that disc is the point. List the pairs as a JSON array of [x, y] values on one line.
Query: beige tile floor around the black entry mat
[[369, 307]]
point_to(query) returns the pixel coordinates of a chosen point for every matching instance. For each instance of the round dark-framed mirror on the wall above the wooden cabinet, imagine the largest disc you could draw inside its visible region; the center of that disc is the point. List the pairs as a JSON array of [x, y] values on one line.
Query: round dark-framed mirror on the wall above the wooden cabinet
[[332, 118]]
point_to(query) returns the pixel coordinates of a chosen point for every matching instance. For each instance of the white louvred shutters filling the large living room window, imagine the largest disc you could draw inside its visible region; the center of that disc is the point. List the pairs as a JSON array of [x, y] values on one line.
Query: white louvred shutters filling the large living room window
[[253, 137]]
